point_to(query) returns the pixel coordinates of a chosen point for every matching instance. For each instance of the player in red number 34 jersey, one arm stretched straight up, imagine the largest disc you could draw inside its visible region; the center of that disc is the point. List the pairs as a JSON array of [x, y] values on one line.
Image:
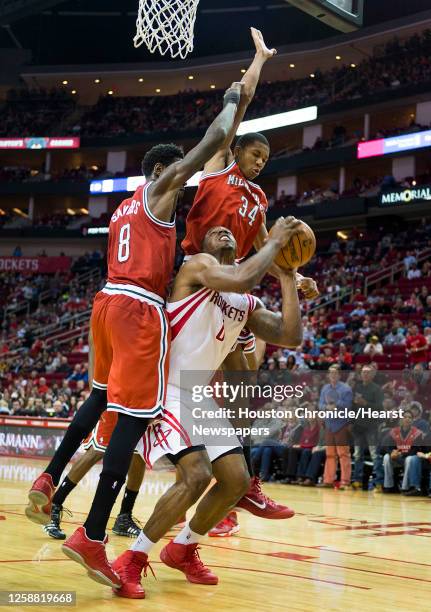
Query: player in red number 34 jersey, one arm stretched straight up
[[227, 196]]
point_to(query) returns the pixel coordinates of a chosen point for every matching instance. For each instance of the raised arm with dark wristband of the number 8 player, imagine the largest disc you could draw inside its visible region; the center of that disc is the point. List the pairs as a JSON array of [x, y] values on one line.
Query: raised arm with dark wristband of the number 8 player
[[175, 176]]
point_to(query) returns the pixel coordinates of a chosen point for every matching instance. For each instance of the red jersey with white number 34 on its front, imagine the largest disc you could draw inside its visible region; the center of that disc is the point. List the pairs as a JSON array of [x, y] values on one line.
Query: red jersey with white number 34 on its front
[[226, 199]]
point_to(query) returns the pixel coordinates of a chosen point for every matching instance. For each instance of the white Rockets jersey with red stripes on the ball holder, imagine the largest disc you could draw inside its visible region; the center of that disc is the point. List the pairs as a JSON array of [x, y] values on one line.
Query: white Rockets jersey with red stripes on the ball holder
[[204, 327]]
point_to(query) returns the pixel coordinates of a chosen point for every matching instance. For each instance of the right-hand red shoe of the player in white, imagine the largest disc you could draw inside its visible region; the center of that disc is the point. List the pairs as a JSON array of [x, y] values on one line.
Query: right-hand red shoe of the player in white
[[185, 557]]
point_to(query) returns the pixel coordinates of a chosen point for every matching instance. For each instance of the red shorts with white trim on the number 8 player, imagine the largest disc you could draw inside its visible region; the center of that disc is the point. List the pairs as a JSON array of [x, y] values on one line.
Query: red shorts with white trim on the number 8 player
[[131, 344]]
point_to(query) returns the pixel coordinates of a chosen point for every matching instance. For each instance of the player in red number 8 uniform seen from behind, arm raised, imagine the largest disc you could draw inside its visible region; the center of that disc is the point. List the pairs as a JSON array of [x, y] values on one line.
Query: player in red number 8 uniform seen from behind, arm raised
[[131, 335]]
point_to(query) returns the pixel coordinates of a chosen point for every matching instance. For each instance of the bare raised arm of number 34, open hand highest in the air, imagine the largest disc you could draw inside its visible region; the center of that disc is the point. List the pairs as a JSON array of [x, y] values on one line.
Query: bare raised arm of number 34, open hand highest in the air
[[250, 80]]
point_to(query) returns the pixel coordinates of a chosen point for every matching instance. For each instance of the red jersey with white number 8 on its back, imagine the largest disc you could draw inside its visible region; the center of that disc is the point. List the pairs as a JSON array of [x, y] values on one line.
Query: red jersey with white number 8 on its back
[[141, 249]]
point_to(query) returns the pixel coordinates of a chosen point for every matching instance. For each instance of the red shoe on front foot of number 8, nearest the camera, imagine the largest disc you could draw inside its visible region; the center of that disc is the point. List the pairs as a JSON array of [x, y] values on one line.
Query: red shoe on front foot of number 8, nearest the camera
[[91, 554]]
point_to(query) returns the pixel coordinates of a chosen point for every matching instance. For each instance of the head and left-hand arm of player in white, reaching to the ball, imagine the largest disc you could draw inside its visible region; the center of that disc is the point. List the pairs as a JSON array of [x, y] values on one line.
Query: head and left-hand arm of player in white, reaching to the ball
[[205, 269]]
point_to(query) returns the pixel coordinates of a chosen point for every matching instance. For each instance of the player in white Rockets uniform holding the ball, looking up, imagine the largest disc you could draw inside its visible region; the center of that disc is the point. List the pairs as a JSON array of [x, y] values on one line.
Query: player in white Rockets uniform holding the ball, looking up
[[208, 308]]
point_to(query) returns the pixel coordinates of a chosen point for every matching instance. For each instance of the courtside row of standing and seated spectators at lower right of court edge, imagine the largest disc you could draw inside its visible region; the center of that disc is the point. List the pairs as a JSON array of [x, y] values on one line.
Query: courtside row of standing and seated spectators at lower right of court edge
[[303, 443]]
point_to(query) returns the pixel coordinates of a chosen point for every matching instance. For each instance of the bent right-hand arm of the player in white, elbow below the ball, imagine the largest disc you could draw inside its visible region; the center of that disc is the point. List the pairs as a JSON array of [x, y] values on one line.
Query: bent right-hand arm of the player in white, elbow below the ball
[[283, 329]]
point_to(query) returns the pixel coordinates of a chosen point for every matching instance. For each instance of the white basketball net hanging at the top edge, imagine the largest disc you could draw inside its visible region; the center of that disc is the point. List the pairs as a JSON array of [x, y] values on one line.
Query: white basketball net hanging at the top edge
[[166, 25]]
